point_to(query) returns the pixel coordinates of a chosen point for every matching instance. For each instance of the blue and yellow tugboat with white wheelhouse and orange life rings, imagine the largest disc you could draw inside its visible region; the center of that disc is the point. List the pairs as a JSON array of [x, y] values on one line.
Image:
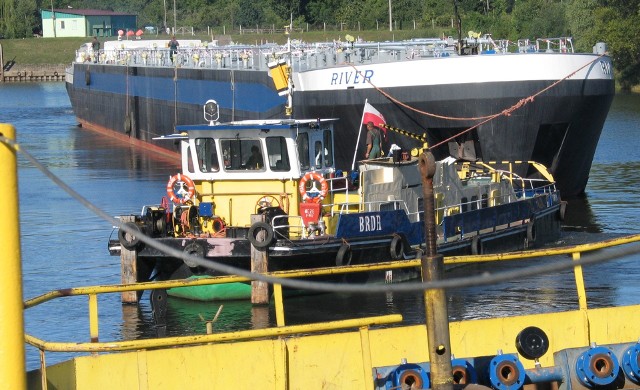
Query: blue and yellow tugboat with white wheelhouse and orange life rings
[[272, 185]]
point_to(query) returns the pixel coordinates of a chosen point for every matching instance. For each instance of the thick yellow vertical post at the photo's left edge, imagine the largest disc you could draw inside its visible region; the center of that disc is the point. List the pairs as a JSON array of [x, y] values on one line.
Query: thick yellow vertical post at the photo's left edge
[[12, 364]]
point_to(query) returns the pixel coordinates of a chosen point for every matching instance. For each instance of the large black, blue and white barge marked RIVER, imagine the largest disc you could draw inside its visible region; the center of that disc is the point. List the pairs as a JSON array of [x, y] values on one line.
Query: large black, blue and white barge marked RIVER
[[550, 103]]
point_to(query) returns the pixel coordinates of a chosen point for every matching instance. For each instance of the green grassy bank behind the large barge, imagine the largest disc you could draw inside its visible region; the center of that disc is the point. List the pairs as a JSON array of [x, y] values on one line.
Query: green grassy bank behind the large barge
[[52, 51]]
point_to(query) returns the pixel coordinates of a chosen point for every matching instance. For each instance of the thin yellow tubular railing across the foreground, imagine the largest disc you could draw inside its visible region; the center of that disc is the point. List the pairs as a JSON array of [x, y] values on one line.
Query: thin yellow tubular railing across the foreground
[[574, 251]]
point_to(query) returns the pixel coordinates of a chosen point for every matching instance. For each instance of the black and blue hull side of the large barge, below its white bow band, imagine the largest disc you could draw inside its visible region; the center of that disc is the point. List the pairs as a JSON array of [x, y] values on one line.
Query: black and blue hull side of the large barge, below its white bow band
[[560, 128]]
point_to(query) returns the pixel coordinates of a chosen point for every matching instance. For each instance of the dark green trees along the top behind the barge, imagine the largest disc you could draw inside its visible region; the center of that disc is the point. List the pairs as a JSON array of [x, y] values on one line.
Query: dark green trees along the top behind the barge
[[616, 22]]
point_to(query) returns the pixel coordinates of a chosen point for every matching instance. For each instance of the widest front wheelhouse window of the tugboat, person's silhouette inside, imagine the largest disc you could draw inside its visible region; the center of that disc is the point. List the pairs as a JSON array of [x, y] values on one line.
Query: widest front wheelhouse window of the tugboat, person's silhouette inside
[[242, 154]]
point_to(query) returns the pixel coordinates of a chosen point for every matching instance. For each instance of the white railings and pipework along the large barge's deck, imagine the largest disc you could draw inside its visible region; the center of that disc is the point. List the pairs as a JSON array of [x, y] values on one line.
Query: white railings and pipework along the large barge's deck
[[307, 56]]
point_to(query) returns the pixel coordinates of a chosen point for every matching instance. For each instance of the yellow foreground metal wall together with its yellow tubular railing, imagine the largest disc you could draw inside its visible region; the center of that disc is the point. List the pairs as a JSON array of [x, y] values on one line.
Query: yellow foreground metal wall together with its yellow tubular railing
[[333, 355]]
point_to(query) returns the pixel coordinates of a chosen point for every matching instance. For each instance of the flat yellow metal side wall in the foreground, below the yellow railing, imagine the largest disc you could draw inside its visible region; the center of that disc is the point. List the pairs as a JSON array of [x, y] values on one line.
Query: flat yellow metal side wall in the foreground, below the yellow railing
[[329, 360]]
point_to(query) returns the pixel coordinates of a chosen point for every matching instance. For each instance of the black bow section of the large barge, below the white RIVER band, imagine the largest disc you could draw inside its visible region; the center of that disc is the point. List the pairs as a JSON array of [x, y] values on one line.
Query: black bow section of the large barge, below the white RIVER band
[[535, 132]]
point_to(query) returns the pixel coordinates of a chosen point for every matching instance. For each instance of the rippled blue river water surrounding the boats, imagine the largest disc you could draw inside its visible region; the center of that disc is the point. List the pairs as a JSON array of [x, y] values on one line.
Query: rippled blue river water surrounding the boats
[[64, 244]]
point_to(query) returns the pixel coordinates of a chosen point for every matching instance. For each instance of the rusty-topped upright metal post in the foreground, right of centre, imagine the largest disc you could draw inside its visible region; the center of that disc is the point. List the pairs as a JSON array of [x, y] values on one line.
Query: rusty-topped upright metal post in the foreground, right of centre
[[435, 301]]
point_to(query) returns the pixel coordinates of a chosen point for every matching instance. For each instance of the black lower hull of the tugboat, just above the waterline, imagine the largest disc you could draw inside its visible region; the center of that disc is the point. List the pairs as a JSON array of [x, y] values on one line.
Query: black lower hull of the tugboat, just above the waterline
[[326, 252]]
